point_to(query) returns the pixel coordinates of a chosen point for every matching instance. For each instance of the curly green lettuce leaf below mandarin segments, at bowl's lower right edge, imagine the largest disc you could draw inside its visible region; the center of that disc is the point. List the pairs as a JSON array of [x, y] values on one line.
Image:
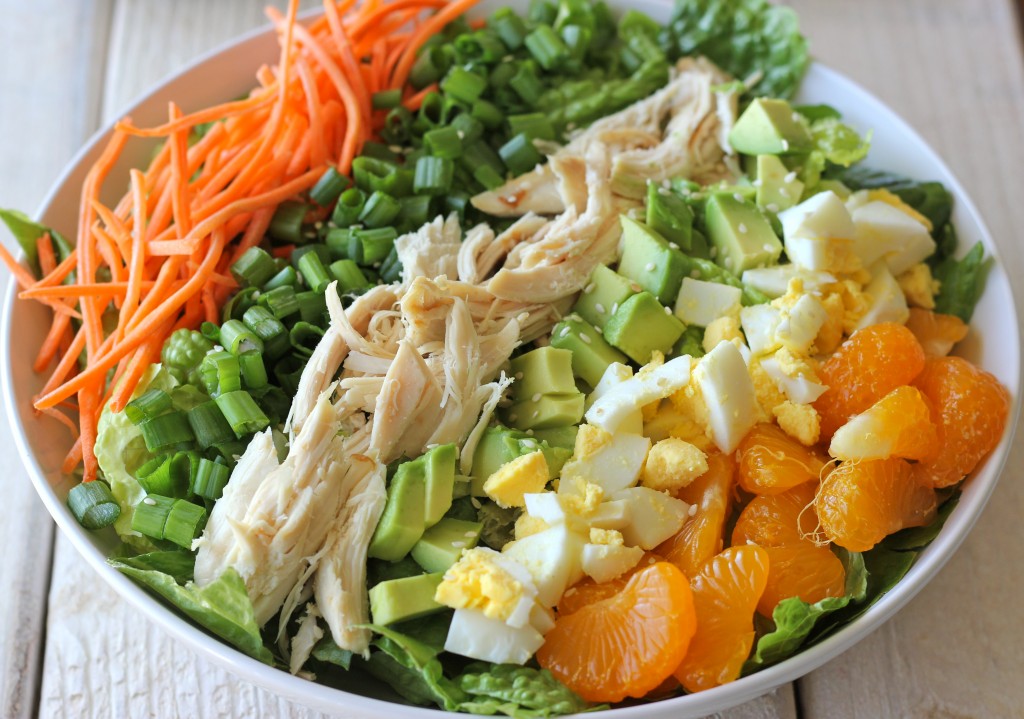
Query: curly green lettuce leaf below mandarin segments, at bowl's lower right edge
[[795, 619]]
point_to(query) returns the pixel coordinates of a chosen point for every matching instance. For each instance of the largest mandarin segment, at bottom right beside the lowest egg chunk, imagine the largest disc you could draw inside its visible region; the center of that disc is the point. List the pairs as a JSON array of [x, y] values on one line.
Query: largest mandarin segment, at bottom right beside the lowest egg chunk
[[627, 645]]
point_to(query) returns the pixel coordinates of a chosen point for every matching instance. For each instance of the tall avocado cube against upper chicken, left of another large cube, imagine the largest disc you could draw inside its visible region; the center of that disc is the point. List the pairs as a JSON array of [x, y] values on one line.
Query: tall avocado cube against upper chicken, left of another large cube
[[649, 261]]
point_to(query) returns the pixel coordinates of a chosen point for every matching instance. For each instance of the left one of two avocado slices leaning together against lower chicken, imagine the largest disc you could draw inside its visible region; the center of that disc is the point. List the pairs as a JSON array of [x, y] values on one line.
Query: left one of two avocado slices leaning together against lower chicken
[[403, 523]]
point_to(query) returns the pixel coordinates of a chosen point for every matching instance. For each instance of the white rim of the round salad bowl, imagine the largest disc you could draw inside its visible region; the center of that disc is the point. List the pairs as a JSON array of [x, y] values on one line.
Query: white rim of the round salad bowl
[[927, 565]]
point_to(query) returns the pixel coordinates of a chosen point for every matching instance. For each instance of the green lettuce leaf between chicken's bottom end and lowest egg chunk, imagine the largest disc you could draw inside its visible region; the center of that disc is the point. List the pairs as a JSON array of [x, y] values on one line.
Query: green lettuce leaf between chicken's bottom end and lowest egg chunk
[[412, 668]]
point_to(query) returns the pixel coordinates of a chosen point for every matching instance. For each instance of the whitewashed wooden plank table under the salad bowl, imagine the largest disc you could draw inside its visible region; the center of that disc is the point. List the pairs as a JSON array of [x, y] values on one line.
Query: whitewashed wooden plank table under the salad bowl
[[70, 648]]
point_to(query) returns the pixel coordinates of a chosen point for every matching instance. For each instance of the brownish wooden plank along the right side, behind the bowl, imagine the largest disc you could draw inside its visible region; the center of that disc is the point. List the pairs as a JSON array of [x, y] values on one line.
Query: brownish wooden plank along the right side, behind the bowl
[[954, 71]]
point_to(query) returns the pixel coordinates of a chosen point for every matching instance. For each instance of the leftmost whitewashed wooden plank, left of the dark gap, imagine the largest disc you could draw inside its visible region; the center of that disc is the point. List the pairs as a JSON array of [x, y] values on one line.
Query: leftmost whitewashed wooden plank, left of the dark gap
[[51, 55]]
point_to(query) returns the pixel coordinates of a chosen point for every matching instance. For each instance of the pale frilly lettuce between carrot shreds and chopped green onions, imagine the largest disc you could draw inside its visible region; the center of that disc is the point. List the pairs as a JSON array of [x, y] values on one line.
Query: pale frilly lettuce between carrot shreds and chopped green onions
[[121, 451]]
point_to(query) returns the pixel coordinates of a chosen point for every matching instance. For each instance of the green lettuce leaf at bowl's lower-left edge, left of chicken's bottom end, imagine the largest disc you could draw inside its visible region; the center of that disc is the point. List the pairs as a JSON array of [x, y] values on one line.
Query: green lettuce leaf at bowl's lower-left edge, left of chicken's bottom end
[[223, 607]]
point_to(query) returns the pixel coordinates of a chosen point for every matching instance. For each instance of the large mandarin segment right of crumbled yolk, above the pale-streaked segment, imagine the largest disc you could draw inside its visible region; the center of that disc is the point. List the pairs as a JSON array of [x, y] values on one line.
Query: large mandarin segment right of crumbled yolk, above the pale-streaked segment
[[870, 365]]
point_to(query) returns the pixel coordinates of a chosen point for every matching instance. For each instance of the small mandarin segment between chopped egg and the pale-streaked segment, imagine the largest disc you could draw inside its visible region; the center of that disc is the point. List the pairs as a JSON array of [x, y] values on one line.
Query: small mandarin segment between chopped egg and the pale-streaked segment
[[772, 461]]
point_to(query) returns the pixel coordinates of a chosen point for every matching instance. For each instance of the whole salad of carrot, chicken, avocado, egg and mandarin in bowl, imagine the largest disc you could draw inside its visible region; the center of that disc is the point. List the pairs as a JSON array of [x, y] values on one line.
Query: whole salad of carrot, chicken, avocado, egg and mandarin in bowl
[[528, 365]]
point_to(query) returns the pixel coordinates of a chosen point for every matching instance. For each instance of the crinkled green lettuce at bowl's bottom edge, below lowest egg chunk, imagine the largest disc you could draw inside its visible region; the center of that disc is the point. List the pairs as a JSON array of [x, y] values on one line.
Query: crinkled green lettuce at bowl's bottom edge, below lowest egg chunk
[[523, 693]]
